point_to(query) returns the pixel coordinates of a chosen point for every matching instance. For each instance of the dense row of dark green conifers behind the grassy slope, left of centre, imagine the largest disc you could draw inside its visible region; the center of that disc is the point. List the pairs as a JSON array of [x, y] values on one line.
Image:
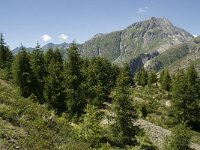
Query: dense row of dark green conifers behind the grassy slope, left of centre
[[66, 86]]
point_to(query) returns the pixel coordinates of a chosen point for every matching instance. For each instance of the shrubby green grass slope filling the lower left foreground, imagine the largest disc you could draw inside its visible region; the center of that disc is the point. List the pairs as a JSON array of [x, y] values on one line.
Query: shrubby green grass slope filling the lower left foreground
[[28, 125]]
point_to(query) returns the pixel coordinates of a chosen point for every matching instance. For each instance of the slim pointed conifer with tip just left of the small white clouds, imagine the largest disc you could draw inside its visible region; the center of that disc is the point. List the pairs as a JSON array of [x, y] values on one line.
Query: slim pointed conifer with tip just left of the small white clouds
[[39, 72]]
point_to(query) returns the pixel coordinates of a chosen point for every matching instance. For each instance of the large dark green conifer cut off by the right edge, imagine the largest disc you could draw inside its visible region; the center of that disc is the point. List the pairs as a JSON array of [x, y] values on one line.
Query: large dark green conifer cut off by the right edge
[[185, 97]]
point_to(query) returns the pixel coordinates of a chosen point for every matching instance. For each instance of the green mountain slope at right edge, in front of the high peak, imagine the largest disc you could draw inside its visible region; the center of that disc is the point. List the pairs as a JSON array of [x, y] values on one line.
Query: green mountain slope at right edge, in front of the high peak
[[178, 57]]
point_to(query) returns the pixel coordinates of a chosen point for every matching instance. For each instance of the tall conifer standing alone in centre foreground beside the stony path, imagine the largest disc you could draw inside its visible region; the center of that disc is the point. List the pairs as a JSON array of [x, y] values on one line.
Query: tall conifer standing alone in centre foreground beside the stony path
[[124, 112]]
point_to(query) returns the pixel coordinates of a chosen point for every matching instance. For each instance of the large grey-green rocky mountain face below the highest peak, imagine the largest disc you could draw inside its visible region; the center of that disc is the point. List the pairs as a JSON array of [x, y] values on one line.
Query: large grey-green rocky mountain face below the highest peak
[[155, 34]]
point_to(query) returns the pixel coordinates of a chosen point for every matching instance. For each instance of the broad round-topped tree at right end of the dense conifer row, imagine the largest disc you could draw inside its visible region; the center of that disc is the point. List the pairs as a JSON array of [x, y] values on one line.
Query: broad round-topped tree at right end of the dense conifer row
[[99, 80]]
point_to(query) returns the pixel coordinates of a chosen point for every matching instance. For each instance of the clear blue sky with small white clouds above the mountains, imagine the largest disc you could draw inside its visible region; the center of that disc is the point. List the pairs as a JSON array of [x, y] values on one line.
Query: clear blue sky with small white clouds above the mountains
[[57, 21]]
